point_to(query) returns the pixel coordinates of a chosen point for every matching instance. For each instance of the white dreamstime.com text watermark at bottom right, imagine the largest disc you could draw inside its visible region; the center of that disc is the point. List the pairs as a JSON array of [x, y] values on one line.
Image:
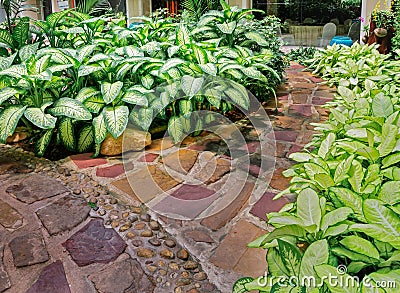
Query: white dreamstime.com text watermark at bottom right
[[340, 279]]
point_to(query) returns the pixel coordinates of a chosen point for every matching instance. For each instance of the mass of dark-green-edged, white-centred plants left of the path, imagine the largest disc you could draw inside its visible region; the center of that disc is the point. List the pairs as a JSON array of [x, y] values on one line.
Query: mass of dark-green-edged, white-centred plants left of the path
[[82, 77]]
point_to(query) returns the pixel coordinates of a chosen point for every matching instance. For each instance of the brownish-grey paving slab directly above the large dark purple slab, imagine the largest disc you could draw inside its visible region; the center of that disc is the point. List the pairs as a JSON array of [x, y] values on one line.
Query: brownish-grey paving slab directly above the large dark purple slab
[[63, 214]]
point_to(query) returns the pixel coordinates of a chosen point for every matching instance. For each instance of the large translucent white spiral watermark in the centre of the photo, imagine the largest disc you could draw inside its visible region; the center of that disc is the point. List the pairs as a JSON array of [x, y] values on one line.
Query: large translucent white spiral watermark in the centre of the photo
[[178, 189]]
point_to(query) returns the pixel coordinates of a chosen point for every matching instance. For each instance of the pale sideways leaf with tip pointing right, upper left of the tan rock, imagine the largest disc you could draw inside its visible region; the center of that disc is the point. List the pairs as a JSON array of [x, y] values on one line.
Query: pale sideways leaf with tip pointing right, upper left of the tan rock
[[70, 108]]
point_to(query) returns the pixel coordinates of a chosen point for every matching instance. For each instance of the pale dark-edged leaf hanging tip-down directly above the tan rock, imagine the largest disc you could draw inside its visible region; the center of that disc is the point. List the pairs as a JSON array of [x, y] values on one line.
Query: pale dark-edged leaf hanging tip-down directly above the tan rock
[[116, 119]]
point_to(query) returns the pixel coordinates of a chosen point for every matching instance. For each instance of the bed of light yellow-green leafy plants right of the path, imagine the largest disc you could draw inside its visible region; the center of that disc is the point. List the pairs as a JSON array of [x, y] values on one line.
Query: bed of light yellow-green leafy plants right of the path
[[346, 221]]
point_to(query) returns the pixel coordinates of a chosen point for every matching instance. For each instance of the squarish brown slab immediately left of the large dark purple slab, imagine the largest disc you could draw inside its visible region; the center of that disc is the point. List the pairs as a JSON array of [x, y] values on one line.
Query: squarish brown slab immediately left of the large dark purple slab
[[29, 249]]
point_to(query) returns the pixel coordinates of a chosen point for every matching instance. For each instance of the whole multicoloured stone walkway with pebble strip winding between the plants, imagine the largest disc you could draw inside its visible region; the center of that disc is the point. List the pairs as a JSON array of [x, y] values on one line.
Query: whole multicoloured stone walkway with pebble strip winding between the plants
[[168, 219]]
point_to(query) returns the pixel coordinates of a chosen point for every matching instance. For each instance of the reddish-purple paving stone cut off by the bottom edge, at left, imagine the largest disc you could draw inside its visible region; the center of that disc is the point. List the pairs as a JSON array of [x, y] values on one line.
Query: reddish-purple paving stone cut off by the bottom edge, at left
[[52, 279]]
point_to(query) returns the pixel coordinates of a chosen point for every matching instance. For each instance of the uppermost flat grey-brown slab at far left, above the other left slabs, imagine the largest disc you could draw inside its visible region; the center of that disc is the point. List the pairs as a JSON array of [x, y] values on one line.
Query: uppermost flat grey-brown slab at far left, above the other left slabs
[[36, 187]]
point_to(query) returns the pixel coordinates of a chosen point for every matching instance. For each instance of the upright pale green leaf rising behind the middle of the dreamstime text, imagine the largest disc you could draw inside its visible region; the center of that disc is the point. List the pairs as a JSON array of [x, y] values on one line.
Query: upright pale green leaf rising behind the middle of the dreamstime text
[[316, 254]]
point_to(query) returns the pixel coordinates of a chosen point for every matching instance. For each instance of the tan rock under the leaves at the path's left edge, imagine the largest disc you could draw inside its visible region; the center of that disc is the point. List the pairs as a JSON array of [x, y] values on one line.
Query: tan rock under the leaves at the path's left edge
[[131, 140]]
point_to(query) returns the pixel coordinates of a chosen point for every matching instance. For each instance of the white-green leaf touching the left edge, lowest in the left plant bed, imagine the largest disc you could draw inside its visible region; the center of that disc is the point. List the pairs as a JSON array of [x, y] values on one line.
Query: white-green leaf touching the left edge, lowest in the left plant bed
[[9, 119]]
